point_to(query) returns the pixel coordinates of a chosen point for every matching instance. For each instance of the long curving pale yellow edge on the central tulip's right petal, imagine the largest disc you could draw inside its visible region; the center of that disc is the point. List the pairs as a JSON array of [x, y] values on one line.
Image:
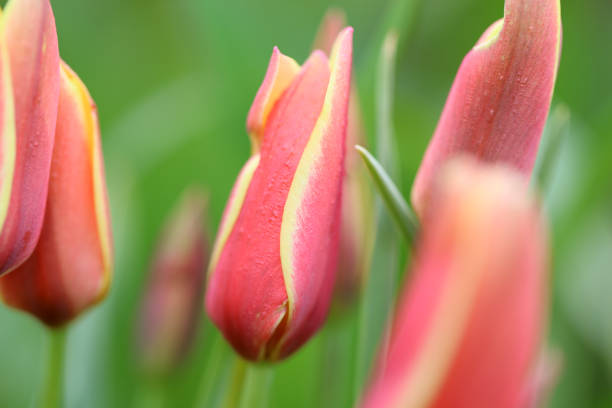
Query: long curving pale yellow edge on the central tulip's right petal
[[309, 163]]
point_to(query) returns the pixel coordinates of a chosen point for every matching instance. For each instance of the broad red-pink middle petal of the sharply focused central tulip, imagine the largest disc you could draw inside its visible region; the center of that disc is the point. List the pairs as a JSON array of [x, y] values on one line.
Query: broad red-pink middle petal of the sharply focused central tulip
[[246, 296]]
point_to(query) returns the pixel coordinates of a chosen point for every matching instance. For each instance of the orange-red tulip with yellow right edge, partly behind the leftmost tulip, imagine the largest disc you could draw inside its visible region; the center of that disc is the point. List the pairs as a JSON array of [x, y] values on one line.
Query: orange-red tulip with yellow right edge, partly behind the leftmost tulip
[[70, 268]]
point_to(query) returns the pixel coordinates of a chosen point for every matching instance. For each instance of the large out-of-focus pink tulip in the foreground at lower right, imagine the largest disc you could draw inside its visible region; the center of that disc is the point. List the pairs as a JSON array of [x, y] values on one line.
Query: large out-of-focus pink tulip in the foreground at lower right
[[467, 331]]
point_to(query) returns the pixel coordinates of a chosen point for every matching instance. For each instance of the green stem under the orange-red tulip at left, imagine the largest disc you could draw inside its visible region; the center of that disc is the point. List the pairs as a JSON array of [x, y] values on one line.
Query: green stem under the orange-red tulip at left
[[53, 385]]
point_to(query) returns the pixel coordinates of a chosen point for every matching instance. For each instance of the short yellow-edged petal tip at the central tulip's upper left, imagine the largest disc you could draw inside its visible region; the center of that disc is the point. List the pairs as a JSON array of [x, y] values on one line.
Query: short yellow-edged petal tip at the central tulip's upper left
[[281, 72]]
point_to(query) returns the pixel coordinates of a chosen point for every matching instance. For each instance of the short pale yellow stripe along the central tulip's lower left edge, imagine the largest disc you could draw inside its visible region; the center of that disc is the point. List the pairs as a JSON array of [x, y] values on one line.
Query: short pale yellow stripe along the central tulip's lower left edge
[[233, 209]]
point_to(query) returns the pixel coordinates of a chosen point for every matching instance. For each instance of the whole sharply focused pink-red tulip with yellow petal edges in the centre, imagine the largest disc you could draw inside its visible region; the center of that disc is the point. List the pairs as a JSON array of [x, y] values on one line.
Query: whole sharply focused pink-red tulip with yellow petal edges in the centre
[[273, 265]]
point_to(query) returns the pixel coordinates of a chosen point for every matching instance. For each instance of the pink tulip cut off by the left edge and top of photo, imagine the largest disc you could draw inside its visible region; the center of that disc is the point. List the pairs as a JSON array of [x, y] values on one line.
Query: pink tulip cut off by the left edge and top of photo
[[30, 81]]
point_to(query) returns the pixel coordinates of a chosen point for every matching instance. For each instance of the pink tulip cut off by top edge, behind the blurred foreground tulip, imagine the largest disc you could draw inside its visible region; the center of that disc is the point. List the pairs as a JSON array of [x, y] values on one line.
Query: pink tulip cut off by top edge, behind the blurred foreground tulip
[[498, 104]]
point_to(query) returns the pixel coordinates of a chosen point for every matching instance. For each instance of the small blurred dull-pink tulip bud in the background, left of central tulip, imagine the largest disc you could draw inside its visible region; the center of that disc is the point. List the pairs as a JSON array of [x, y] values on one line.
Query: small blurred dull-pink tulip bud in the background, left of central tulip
[[171, 308]]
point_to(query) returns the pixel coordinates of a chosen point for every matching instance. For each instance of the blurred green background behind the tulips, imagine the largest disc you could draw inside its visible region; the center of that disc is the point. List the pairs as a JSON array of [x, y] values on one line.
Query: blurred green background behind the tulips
[[174, 80]]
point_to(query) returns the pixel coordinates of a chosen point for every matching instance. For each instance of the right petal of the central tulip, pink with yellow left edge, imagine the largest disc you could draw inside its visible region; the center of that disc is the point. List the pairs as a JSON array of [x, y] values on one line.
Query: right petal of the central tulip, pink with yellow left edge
[[311, 214]]
